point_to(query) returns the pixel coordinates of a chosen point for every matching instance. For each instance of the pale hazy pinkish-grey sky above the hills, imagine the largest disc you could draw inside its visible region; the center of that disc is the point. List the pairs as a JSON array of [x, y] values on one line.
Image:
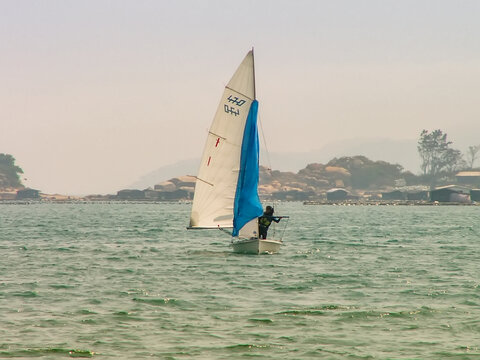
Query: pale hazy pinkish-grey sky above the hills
[[96, 93]]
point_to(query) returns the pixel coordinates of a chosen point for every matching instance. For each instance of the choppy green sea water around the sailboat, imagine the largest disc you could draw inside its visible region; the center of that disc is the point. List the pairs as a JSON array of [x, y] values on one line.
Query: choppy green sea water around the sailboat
[[128, 281]]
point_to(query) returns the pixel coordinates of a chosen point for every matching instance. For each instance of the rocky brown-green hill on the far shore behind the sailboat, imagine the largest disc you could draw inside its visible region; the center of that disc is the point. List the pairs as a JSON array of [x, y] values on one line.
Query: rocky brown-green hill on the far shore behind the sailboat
[[356, 176]]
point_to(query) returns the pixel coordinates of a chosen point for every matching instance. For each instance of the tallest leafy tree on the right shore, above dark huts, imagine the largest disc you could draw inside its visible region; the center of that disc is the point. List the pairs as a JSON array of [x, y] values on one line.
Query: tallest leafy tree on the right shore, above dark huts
[[437, 156]]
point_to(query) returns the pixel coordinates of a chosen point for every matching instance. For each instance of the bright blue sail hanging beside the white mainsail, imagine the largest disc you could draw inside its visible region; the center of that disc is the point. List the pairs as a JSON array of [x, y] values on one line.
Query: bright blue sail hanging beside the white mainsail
[[247, 205]]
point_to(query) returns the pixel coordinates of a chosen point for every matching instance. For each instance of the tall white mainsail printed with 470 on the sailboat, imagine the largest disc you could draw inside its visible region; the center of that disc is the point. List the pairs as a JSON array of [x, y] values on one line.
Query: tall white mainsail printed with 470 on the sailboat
[[213, 203]]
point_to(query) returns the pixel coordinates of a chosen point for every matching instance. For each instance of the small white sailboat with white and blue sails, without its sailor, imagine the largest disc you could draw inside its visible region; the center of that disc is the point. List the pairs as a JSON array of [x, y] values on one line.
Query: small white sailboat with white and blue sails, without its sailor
[[226, 190]]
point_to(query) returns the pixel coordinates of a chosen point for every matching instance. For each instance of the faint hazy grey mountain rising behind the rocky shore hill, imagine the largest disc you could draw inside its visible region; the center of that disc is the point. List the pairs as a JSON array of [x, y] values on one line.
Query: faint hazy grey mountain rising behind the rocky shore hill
[[402, 152]]
